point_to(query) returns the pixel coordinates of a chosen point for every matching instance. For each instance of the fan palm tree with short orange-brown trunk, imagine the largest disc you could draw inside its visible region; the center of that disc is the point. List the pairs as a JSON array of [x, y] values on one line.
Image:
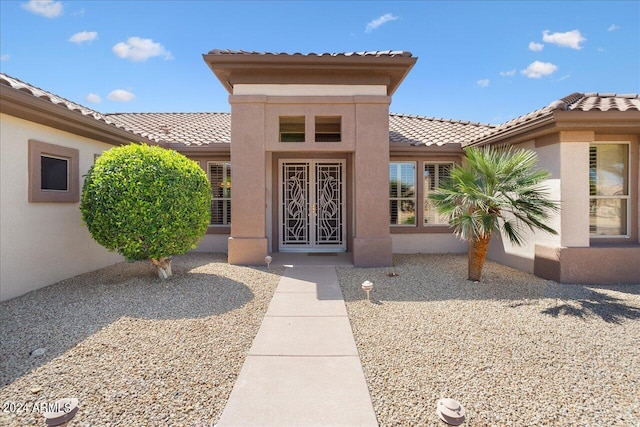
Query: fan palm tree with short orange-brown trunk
[[494, 190]]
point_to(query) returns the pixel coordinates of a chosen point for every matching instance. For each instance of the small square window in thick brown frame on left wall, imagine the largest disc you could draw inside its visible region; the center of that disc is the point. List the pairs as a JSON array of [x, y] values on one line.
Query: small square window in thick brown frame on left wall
[[53, 173]]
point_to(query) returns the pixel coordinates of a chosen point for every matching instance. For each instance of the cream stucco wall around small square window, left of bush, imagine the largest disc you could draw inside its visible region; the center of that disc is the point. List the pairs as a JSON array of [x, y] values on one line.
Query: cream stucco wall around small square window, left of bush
[[41, 243]]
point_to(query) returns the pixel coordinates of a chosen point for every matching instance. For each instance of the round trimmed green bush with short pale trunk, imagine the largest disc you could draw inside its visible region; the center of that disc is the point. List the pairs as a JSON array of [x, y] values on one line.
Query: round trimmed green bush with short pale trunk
[[146, 202]]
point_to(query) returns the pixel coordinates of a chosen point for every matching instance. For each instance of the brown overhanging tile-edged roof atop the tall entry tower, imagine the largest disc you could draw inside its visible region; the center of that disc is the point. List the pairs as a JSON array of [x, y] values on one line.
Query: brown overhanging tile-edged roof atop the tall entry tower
[[229, 65]]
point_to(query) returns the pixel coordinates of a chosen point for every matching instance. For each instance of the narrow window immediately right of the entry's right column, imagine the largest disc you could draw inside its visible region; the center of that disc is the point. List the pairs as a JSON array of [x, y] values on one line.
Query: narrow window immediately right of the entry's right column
[[402, 193]]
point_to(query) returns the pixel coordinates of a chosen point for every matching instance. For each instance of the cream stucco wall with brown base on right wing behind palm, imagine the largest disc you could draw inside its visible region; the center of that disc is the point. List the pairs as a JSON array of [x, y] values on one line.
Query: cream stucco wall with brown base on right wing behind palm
[[571, 256]]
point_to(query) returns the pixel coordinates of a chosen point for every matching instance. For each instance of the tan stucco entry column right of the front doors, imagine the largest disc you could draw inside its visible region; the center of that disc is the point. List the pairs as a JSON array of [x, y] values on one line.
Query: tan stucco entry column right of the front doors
[[372, 239]]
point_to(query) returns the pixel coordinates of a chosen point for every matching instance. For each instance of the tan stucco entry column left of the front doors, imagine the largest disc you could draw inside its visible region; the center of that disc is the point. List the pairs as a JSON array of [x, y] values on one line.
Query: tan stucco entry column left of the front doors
[[248, 241]]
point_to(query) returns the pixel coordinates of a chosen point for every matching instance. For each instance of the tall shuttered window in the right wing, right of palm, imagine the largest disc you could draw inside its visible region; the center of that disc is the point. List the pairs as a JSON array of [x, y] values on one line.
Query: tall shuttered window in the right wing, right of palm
[[608, 190]]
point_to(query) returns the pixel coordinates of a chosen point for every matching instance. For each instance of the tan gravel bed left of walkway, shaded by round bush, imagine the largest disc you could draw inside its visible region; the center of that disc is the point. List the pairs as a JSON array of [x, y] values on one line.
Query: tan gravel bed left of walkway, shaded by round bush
[[134, 350]]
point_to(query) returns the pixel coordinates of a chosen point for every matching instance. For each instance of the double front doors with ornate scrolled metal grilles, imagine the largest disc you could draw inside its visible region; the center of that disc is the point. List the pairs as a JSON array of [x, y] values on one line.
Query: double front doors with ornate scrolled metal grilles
[[312, 211]]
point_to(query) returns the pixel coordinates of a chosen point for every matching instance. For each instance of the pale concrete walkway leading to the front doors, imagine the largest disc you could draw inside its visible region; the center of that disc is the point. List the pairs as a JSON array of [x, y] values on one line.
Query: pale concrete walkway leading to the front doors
[[303, 368]]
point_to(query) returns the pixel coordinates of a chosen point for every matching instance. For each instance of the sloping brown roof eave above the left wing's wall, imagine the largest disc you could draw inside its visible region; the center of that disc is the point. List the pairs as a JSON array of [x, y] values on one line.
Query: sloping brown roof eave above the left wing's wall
[[23, 104]]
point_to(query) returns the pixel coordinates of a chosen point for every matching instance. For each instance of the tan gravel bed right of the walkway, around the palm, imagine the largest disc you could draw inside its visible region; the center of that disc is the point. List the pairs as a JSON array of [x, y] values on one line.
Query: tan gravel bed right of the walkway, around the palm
[[515, 350]]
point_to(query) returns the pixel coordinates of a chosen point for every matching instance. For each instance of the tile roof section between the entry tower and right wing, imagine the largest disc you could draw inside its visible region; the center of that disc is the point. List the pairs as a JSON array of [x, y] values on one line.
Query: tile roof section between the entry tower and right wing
[[420, 130]]
